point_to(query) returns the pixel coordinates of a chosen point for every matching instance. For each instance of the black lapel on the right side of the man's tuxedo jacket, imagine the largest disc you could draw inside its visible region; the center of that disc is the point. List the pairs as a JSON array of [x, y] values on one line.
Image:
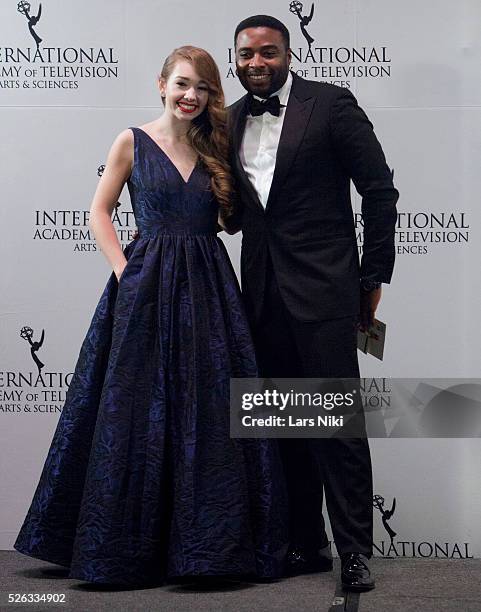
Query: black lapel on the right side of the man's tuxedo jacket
[[298, 112]]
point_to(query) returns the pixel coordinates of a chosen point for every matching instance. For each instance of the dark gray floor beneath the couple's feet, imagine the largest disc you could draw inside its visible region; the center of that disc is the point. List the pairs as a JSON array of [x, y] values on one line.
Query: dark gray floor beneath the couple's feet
[[403, 585]]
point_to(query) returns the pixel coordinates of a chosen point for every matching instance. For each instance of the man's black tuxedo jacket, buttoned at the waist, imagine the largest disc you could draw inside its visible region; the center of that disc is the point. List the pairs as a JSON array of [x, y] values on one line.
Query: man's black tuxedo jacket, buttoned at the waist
[[307, 226]]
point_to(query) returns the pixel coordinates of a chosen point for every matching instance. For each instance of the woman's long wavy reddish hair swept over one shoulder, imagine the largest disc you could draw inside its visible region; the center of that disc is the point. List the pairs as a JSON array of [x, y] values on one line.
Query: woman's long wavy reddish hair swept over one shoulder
[[208, 132]]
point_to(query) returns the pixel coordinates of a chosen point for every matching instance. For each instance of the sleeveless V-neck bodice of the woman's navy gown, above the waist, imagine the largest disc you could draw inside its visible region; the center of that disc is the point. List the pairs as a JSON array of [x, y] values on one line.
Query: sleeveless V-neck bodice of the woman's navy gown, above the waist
[[162, 200]]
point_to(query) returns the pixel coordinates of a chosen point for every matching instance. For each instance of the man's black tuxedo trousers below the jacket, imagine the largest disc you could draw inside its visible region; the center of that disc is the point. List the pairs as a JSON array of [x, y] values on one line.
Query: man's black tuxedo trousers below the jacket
[[289, 348]]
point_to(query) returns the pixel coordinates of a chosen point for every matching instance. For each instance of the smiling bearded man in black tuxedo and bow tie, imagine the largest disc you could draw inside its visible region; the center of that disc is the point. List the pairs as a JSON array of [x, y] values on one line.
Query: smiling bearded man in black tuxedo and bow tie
[[296, 144]]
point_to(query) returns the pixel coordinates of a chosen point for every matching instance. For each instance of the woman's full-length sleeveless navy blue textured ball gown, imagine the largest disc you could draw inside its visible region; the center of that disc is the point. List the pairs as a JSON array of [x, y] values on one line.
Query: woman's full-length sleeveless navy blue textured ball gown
[[142, 480]]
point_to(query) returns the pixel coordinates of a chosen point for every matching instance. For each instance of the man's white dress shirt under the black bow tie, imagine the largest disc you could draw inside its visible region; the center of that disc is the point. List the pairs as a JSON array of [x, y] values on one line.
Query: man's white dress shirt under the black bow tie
[[259, 145]]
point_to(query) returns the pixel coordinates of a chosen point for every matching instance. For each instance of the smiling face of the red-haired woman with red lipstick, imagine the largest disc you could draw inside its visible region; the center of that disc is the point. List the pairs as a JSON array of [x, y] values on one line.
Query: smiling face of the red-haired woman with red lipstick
[[184, 92]]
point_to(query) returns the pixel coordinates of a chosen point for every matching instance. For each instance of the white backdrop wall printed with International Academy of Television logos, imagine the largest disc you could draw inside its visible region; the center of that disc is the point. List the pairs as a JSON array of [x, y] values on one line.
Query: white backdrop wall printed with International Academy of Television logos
[[74, 75]]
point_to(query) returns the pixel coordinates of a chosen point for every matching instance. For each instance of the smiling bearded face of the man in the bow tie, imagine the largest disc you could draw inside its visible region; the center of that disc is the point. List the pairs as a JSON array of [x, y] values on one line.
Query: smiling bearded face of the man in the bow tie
[[262, 60]]
